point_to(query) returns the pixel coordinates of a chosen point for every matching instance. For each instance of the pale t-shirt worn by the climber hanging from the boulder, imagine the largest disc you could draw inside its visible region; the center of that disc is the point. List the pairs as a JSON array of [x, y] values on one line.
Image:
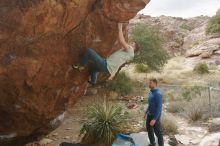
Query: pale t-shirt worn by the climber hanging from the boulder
[[118, 58]]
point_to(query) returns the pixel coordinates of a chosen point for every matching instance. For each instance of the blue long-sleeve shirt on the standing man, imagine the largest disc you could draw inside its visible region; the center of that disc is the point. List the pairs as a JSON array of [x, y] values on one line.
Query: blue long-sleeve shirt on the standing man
[[154, 103]]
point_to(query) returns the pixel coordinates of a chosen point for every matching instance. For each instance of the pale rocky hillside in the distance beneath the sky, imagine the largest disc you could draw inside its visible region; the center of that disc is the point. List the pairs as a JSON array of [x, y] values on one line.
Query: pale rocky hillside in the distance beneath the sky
[[186, 37]]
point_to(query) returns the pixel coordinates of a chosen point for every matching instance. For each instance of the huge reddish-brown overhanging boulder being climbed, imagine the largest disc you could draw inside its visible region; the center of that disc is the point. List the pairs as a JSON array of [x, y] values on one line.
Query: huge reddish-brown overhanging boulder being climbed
[[39, 40]]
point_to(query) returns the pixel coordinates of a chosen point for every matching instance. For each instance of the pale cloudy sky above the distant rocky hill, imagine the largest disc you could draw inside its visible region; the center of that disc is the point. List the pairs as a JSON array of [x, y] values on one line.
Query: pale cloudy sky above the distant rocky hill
[[182, 8]]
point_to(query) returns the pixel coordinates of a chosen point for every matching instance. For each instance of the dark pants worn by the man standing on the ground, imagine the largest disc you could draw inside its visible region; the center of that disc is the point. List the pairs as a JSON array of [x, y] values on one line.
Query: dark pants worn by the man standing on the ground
[[154, 129]]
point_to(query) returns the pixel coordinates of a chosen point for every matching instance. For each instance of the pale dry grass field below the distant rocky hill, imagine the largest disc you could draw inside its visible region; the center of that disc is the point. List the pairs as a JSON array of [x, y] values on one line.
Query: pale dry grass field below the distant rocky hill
[[177, 72]]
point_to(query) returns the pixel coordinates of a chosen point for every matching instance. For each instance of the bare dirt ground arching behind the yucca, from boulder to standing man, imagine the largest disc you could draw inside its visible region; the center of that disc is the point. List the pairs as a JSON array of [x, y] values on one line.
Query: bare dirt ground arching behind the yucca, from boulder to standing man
[[69, 130]]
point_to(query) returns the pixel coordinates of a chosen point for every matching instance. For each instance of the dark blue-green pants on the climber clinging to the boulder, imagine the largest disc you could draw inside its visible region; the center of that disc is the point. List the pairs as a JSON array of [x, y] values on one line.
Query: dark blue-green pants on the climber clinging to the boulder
[[99, 64]]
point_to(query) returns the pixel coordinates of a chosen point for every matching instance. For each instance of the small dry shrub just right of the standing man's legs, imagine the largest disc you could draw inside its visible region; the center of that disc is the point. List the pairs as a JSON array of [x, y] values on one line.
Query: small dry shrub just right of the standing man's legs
[[169, 126]]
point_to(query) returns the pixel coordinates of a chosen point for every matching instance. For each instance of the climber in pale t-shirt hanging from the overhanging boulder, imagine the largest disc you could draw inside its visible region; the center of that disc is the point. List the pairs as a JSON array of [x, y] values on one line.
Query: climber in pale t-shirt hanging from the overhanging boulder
[[108, 65]]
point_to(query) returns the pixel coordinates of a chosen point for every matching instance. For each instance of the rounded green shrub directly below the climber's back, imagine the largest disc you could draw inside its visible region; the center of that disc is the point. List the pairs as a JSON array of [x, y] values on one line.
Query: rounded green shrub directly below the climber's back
[[121, 84]]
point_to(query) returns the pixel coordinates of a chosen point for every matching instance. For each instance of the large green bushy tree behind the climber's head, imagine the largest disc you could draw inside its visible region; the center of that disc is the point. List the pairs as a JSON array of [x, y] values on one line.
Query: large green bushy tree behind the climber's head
[[149, 41]]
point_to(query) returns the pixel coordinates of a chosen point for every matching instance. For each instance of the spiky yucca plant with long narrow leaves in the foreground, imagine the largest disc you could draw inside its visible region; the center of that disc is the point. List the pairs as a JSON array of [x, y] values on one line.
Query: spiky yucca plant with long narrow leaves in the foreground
[[104, 122]]
